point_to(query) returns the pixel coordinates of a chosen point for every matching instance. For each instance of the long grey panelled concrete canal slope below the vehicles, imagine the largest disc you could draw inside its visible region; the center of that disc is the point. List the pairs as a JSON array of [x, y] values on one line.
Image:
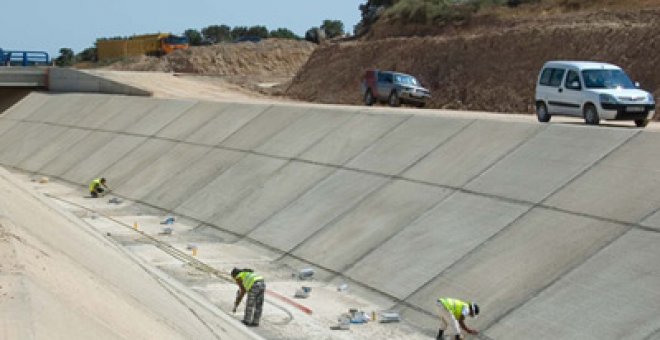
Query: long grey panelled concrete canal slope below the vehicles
[[543, 224]]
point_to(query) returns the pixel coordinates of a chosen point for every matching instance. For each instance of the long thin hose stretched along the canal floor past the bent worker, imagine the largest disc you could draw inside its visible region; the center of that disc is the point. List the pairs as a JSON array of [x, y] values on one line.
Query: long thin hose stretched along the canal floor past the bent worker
[[192, 261]]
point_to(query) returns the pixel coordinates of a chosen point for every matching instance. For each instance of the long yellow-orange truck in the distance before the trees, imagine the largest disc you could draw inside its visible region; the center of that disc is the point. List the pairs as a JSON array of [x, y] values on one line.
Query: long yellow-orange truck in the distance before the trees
[[147, 44]]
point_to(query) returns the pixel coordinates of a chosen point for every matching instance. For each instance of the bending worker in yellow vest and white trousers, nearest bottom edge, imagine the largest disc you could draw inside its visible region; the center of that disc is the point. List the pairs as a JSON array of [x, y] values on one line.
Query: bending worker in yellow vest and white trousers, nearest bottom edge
[[452, 315]]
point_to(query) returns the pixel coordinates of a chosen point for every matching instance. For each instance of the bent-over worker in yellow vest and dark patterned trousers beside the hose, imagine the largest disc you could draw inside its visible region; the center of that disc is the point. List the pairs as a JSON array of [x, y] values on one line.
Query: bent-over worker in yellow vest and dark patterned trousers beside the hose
[[252, 284]]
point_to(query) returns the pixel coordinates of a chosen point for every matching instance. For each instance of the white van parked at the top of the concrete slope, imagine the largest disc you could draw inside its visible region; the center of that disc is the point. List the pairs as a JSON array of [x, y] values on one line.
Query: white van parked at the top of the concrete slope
[[591, 90]]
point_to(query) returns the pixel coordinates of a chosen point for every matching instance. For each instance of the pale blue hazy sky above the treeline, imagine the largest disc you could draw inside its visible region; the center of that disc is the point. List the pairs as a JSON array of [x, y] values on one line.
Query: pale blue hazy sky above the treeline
[[41, 25]]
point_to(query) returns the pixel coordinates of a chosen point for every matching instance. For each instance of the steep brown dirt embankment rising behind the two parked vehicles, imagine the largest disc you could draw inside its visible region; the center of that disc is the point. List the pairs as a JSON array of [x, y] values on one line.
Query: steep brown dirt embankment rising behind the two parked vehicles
[[489, 66]]
